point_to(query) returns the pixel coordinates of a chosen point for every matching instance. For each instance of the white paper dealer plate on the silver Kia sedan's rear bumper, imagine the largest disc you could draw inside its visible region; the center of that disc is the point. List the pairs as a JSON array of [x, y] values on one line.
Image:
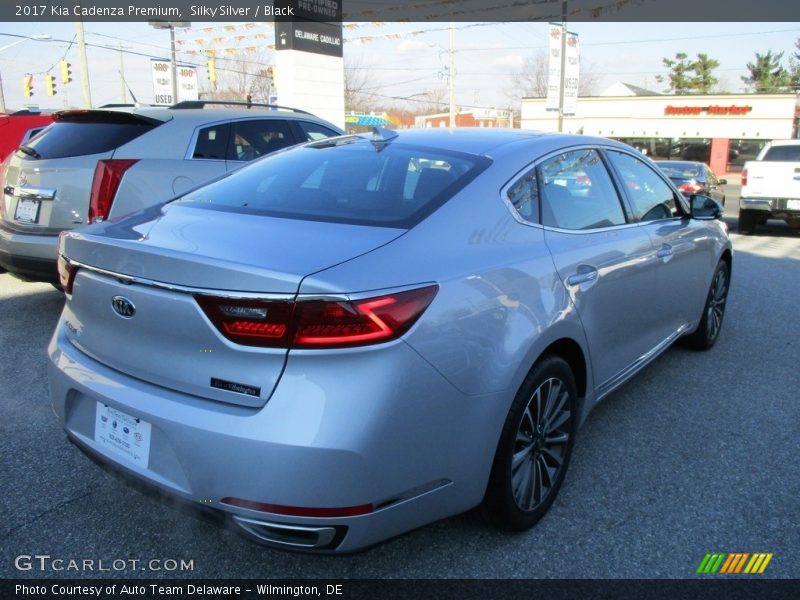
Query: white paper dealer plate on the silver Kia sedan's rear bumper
[[122, 434]]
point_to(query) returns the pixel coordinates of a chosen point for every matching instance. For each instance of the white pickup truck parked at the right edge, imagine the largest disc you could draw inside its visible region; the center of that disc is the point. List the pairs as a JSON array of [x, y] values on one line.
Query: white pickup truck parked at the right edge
[[771, 186]]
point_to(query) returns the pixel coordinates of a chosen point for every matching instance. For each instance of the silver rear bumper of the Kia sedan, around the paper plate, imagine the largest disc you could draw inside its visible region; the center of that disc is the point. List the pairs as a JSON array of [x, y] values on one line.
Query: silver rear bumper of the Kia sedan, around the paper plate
[[411, 448]]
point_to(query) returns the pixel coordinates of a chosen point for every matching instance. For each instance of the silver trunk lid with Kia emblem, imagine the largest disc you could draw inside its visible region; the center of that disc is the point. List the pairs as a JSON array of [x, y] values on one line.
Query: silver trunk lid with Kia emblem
[[134, 304]]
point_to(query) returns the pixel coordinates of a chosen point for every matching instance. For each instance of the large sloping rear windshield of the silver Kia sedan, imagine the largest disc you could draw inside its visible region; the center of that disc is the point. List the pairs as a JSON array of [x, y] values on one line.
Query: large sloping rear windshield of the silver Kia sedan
[[349, 181]]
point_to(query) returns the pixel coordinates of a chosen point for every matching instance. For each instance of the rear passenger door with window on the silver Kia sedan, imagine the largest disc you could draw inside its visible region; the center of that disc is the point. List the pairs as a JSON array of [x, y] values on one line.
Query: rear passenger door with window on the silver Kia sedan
[[605, 261]]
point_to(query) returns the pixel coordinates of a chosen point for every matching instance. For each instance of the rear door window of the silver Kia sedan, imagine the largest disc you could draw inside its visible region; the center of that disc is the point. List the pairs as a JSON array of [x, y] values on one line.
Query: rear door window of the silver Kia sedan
[[577, 192]]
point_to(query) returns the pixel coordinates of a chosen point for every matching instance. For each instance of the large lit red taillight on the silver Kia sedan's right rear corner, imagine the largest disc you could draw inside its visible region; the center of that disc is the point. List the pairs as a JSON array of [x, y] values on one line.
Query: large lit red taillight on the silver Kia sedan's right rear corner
[[317, 323]]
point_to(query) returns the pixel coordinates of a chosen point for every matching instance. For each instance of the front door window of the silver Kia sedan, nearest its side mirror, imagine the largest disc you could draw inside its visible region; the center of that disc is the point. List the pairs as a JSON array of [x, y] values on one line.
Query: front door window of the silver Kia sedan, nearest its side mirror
[[651, 197]]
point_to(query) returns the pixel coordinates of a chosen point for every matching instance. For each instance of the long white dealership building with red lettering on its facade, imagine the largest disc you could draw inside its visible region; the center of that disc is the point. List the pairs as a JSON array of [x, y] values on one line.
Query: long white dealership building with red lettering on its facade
[[722, 130]]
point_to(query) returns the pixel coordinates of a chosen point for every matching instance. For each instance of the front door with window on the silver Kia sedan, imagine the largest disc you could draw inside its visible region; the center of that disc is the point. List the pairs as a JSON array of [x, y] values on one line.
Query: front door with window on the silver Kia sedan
[[681, 260]]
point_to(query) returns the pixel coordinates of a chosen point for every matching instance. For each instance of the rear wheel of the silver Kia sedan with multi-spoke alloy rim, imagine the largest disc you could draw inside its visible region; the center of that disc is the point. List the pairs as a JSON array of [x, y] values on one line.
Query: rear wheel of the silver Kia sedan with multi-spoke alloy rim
[[534, 448]]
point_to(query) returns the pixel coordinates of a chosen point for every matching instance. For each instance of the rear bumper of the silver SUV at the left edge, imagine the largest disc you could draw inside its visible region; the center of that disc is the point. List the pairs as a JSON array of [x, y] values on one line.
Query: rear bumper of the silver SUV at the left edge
[[28, 256]]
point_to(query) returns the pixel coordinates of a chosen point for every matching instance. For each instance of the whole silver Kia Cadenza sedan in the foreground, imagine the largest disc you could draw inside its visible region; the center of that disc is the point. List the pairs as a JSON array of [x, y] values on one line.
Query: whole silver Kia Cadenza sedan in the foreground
[[351, 339]]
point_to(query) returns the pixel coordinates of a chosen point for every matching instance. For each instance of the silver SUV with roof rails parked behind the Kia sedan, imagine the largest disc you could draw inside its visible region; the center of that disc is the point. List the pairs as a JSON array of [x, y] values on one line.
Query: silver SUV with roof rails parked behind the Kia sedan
[[93, 165]]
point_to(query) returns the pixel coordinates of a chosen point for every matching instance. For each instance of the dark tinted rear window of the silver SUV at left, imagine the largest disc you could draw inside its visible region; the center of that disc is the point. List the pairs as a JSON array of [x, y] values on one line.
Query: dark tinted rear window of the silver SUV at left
[[75, 138]]
